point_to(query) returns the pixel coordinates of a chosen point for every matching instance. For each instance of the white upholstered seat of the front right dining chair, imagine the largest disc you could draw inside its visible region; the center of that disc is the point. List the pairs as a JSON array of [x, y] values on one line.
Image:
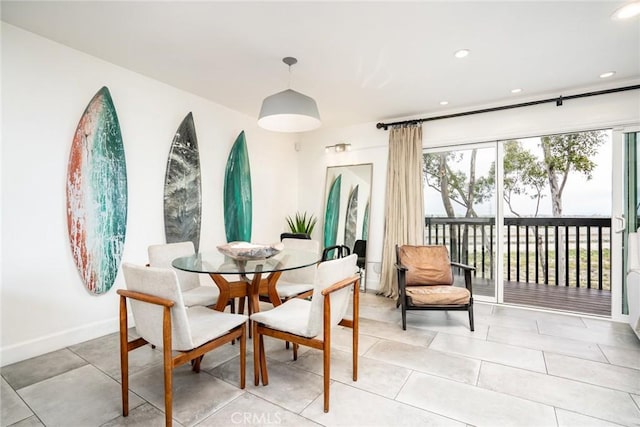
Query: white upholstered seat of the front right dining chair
[[291, 316]]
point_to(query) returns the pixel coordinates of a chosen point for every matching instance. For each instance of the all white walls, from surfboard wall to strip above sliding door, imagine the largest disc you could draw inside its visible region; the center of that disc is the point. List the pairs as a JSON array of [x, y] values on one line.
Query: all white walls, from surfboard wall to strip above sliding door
[[45, 88]]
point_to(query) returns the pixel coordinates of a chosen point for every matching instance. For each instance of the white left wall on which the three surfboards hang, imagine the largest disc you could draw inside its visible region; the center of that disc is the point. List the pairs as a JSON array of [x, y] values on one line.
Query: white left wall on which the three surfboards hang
[[45, 88]]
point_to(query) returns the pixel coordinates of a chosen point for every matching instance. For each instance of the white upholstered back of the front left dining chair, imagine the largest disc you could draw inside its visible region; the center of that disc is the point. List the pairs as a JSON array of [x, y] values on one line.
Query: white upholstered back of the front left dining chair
[[161, 282]]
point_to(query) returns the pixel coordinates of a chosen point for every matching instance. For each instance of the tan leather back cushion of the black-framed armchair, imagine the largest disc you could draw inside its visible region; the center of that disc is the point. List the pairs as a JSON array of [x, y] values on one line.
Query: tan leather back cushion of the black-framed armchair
[[426, 265]]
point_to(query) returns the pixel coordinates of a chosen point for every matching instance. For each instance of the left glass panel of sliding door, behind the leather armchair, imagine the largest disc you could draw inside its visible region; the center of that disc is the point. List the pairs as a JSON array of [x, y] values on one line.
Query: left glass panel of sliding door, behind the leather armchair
[[460, 209]]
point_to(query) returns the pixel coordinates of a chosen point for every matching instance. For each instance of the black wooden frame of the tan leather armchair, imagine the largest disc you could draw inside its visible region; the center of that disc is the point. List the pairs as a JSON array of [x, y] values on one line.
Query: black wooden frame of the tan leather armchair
[[404, 302]]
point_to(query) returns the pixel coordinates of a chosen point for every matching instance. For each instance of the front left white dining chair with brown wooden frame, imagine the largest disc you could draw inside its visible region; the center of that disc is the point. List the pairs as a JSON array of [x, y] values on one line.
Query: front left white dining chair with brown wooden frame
[[162, 319]]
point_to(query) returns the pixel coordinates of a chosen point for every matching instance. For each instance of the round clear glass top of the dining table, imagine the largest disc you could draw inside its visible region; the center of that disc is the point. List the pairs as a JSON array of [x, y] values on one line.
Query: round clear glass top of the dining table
[[216, 263]]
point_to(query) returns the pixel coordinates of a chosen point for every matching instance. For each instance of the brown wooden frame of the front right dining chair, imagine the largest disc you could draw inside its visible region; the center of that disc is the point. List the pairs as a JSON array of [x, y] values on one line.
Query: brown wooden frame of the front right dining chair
[[260, 330]]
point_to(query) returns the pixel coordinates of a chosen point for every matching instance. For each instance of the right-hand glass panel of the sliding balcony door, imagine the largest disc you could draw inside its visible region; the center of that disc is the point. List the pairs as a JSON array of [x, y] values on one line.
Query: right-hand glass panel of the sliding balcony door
[[557, 221]]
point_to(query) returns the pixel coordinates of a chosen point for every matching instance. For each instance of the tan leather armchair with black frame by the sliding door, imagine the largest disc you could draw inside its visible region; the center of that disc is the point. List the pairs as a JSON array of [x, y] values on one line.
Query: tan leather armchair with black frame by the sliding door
[[425, 281]]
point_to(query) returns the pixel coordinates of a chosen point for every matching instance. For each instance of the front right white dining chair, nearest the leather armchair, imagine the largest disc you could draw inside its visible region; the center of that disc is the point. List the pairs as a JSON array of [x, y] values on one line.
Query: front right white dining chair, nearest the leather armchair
[[309, 323]]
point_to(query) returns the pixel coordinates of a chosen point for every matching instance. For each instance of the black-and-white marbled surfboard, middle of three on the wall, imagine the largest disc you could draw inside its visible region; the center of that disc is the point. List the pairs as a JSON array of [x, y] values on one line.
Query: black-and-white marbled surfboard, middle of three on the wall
[[182, 187]]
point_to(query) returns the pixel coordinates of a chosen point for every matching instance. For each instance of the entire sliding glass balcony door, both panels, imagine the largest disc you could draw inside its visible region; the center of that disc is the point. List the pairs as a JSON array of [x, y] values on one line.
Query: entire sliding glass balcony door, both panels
[[532, 215]]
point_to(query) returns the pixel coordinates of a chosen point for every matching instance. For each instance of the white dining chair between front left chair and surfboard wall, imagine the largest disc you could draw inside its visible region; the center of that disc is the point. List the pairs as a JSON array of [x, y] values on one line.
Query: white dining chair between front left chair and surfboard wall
[[193, 292]]
